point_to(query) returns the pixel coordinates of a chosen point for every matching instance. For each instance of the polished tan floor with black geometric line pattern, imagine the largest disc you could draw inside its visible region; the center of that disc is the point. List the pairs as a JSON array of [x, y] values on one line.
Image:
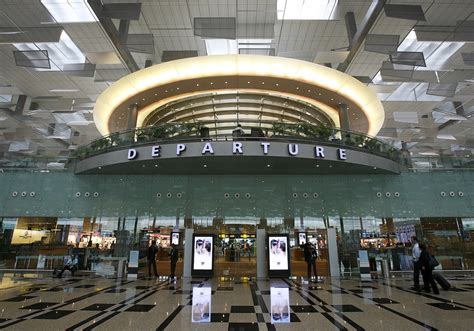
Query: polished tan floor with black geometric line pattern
[[222, 304]]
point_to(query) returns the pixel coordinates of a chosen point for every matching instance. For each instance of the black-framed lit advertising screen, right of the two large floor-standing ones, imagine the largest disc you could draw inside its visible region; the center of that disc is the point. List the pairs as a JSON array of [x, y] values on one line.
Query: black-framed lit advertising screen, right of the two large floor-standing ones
[[278, 256]]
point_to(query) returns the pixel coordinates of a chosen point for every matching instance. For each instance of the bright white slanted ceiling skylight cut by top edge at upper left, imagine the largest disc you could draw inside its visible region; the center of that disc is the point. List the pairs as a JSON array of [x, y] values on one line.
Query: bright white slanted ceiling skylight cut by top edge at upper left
[[70, 11]]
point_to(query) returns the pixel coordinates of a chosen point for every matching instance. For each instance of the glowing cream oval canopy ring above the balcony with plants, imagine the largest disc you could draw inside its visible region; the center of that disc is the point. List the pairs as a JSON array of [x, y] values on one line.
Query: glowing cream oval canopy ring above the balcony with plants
[[323, 87]]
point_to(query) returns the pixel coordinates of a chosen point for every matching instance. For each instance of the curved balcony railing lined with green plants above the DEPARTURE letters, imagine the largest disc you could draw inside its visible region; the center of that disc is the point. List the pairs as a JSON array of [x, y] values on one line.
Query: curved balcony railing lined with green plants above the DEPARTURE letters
[[304, 132]]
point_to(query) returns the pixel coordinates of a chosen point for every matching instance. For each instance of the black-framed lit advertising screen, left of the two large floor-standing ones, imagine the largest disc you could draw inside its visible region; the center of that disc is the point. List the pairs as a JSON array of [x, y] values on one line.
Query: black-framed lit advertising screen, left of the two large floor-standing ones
[[203, 255]]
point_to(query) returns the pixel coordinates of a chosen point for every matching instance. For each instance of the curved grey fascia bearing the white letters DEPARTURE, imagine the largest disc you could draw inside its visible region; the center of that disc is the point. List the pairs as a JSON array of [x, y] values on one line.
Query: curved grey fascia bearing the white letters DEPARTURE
[[270, 156]]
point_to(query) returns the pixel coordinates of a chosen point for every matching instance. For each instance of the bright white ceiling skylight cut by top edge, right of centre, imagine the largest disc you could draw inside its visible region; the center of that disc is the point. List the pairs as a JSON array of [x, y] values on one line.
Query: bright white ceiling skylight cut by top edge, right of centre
[[306, 9]]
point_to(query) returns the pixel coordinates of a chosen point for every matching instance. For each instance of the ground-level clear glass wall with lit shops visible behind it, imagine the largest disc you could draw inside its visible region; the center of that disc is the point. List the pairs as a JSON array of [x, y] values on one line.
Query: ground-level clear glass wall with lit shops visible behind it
[[104, 241]]
